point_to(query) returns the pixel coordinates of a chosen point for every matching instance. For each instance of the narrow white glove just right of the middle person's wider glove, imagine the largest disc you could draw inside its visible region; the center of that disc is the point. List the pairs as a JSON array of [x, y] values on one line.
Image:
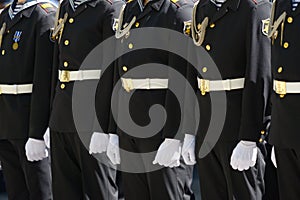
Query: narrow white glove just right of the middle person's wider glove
[[188, 149]]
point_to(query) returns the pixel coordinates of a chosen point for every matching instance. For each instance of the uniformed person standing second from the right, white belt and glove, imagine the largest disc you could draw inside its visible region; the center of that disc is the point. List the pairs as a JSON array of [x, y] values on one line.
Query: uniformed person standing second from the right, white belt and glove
[[234, 34]]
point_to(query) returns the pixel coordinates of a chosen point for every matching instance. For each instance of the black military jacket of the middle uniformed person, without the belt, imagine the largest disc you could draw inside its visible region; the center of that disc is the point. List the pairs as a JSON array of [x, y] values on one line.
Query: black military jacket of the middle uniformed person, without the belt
[[156, 14]]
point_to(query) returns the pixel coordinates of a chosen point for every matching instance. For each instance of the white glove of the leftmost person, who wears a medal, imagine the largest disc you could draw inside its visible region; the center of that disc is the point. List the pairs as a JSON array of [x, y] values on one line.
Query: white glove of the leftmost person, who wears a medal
[[35, 150]]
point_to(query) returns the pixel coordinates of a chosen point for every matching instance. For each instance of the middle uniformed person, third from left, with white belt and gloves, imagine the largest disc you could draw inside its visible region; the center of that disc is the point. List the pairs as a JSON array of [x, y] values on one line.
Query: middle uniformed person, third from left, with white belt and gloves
[[172, 177]]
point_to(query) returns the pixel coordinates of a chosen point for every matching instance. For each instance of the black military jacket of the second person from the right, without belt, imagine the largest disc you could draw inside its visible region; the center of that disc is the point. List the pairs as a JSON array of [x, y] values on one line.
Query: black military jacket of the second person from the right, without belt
[[236, 39]]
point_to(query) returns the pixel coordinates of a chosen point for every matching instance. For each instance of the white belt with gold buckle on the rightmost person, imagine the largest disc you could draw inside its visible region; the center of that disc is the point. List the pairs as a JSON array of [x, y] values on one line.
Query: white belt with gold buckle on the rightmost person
[[283, 88]]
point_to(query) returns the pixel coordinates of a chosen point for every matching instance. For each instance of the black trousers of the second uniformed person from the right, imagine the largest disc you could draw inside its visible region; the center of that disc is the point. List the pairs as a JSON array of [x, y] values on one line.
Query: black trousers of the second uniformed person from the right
[[218, 181]]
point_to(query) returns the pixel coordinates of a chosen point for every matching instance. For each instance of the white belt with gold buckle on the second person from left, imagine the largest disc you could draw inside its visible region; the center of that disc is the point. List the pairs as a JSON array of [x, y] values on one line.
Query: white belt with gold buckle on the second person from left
[[80, 75]]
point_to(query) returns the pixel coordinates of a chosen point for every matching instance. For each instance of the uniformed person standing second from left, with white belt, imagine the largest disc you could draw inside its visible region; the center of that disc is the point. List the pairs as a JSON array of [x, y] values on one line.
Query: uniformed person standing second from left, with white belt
[[81, 26]]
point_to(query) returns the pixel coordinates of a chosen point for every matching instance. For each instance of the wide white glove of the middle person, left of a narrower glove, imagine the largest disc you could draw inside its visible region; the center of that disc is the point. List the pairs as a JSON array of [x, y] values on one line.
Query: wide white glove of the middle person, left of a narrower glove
[[168, 153]]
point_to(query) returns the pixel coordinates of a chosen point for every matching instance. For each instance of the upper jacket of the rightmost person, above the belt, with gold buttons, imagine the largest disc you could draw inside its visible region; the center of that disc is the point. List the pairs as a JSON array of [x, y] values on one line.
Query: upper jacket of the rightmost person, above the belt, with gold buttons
[[286, 44]]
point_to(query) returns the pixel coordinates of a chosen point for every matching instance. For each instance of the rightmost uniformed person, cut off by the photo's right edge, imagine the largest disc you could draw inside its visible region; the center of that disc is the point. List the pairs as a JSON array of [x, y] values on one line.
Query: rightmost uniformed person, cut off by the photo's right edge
[[284, 133]]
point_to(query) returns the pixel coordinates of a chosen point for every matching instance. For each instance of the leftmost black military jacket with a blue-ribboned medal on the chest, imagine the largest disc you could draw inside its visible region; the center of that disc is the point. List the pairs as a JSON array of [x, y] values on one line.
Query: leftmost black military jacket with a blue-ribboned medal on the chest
[[26, 115]]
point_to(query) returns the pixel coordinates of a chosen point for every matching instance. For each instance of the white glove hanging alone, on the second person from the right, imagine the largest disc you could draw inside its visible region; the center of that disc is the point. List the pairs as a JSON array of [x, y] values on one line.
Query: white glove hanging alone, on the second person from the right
[[244, 155]]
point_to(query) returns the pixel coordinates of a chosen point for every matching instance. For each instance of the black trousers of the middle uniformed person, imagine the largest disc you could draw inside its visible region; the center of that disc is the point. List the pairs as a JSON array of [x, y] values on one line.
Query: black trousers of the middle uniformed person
[[144, 181]]
